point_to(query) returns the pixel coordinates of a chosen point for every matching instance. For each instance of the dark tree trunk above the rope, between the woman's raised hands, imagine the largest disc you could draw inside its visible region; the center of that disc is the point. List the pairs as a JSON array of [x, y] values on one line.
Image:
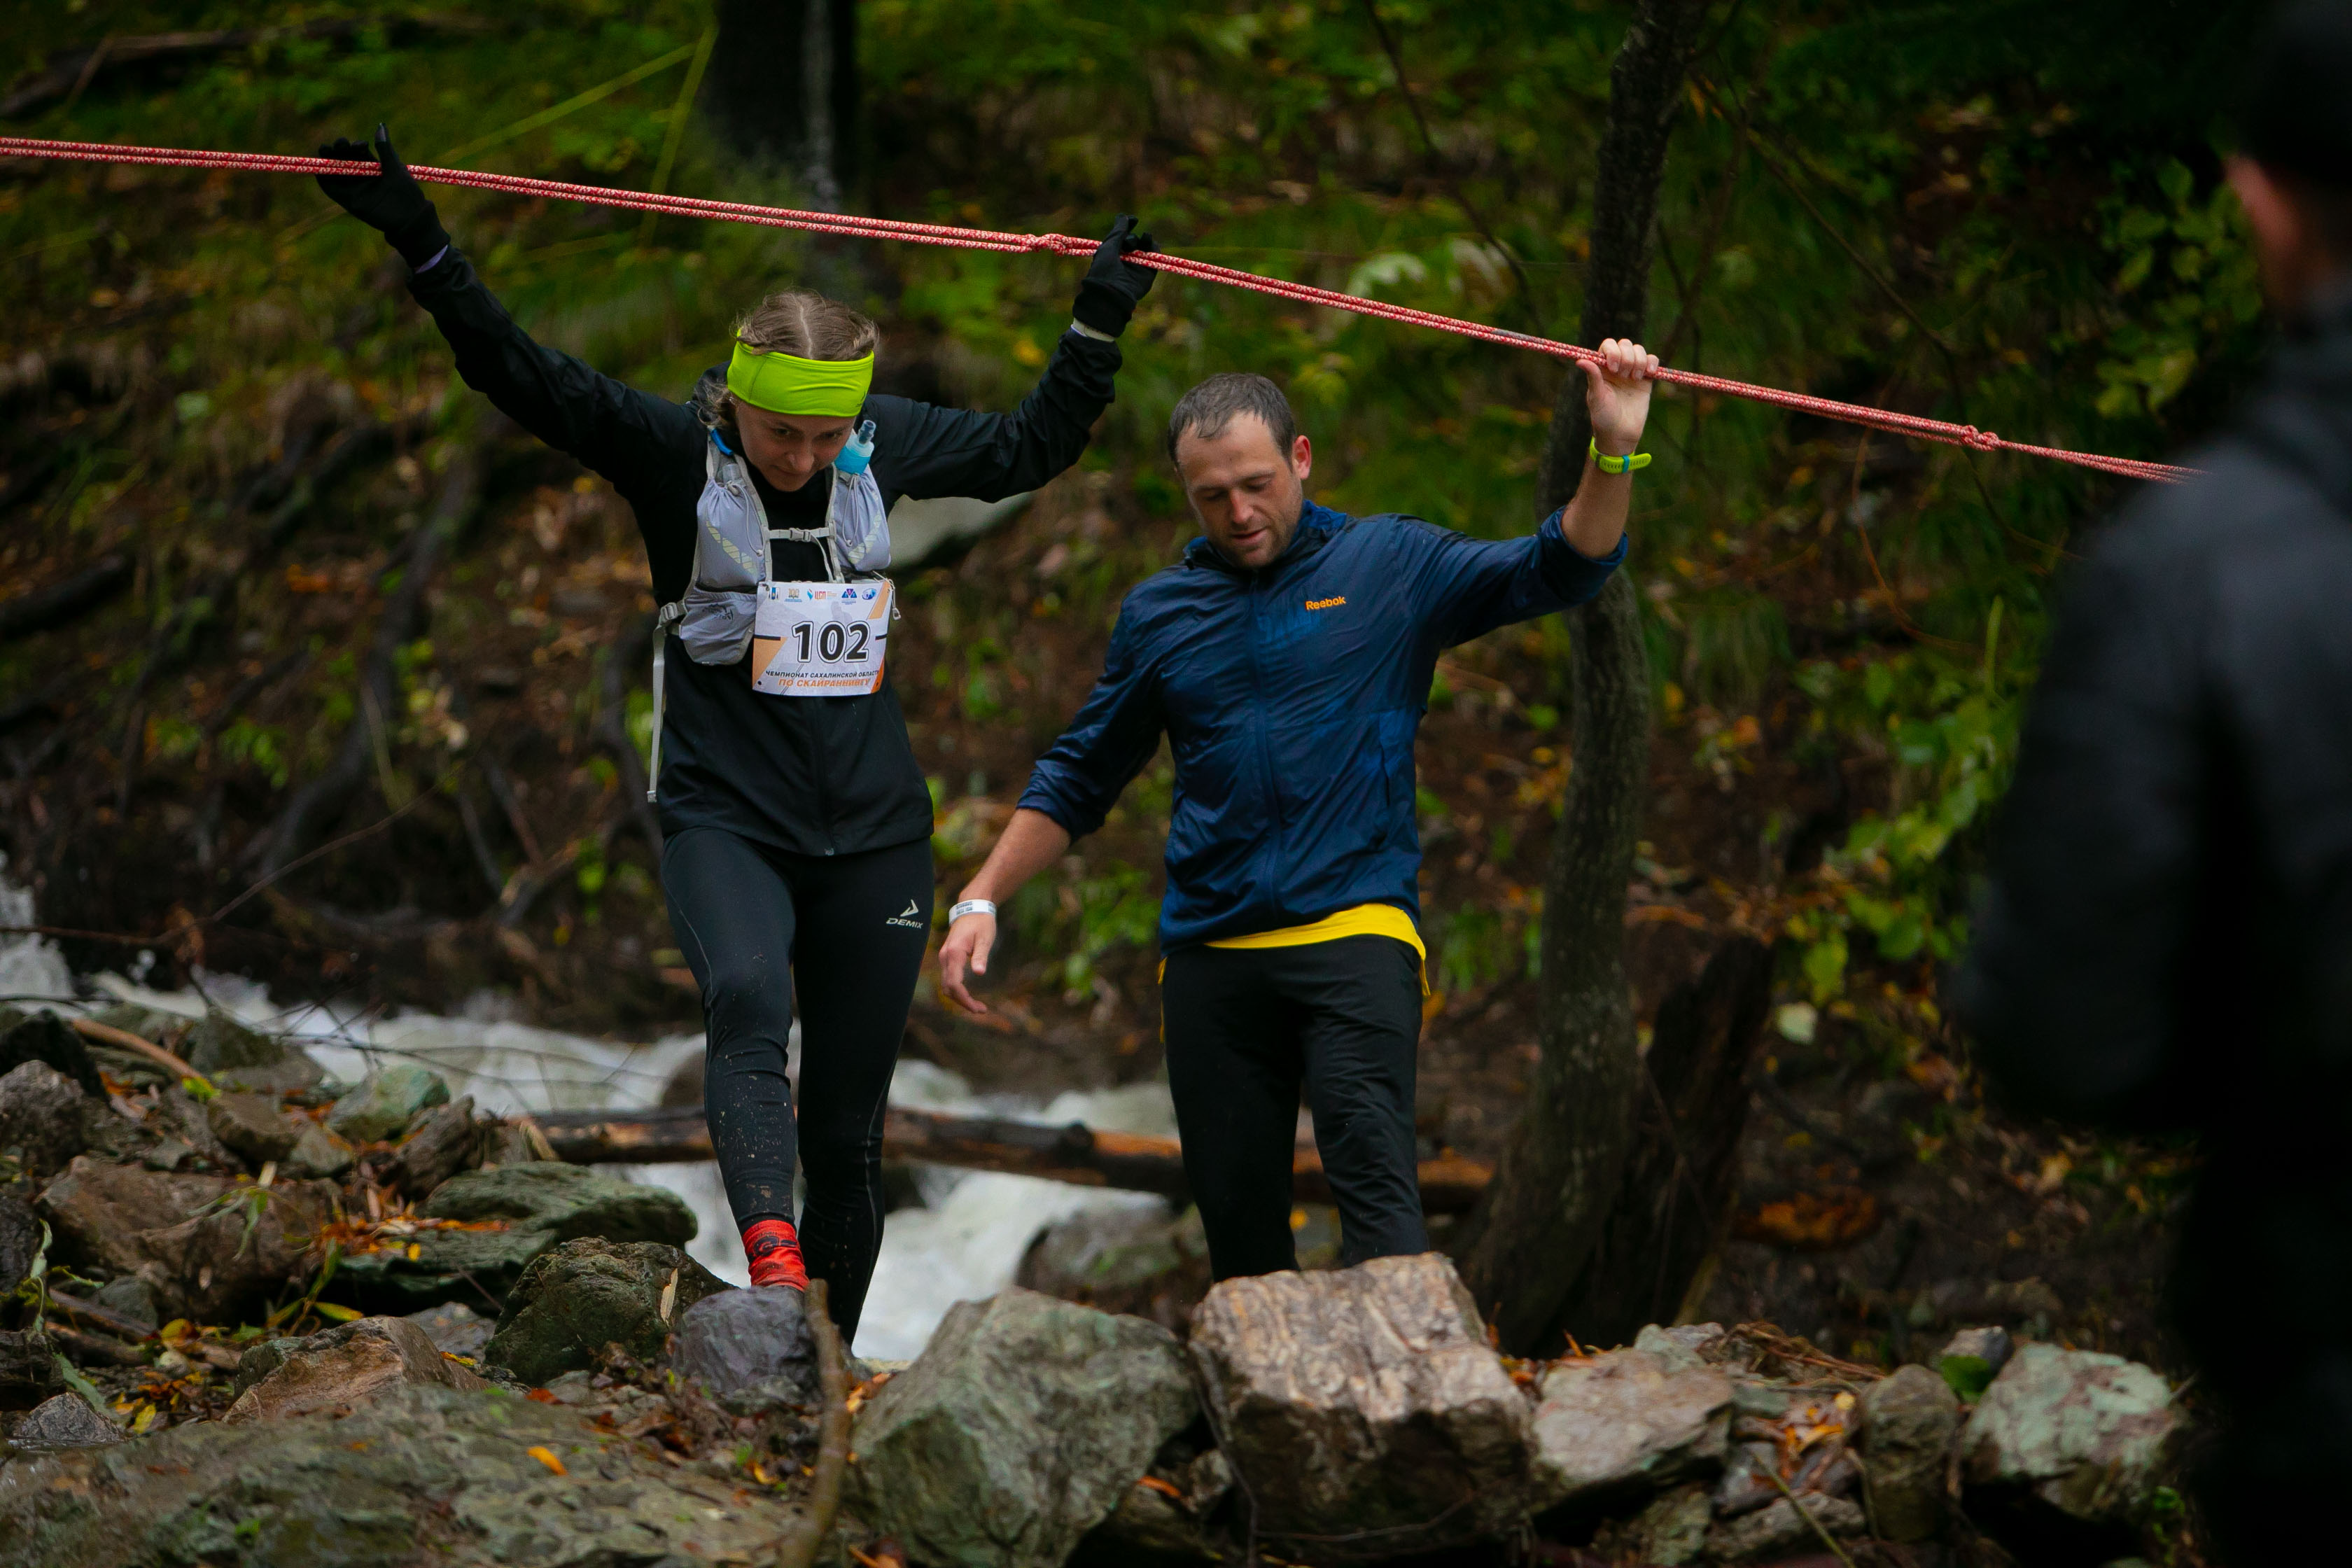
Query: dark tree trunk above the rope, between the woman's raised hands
[[784, 88]]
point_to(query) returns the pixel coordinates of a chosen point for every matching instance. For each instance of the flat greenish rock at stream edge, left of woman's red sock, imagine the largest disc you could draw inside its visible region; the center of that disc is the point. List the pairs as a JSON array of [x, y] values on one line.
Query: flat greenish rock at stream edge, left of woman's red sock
[[516, 1214]]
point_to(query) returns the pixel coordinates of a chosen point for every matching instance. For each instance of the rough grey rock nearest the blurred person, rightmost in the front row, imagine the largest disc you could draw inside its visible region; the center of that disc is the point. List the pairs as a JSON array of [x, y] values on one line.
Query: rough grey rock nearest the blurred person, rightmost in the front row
[[2076, 1430]]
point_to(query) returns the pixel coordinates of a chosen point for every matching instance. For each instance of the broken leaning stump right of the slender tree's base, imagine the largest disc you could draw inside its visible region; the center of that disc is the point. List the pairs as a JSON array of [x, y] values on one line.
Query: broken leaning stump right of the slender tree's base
[[1683, 1172]]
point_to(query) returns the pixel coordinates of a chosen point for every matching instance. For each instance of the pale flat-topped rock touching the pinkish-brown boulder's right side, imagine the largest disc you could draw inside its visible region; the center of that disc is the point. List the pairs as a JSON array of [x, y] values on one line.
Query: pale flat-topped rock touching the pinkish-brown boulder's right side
[[1626, 1421]]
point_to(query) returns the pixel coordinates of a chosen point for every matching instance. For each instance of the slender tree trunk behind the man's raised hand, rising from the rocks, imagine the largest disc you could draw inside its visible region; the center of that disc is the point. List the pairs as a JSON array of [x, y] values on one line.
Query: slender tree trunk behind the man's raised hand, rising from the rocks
[[1530, 1242]]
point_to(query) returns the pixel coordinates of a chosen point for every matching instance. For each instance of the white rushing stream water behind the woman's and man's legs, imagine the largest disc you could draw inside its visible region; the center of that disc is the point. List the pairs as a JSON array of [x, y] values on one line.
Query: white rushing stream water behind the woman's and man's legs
[[963, 1245]]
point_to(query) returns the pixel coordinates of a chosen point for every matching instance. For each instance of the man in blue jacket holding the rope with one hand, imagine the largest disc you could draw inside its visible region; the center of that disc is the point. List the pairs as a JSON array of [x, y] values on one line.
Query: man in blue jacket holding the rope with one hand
[[1290, 662]]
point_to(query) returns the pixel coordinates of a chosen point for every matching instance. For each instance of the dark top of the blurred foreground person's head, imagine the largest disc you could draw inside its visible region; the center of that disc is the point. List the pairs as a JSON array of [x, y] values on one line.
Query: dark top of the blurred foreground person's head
[[2294, 112]]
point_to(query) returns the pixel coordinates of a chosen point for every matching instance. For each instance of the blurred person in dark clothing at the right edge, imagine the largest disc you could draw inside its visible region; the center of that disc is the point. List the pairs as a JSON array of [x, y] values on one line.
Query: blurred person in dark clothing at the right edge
[[2167, 937]]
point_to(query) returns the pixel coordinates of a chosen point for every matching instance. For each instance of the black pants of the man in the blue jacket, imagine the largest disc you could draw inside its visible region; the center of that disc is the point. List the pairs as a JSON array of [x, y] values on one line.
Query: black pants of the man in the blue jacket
[[1248, 1028]]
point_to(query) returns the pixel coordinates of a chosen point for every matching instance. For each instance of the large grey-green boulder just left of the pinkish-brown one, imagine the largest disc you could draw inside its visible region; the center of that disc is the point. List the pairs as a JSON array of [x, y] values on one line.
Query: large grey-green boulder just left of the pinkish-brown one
[[1017, 1430]]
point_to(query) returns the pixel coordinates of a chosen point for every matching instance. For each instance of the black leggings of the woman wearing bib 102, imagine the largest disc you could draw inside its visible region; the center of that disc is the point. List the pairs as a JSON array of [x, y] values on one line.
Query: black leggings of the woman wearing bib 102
[[853, 932]]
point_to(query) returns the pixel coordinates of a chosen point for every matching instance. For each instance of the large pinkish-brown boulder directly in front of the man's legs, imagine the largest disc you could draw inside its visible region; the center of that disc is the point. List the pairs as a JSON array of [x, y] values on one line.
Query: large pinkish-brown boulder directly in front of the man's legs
[[1365, 1402]]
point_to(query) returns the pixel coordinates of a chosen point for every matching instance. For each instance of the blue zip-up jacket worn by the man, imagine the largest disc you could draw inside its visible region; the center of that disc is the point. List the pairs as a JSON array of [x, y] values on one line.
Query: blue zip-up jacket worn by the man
[[1290, 697]]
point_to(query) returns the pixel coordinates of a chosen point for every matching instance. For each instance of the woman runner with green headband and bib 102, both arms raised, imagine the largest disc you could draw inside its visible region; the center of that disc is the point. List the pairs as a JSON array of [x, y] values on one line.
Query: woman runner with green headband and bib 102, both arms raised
[[796, 824]]
